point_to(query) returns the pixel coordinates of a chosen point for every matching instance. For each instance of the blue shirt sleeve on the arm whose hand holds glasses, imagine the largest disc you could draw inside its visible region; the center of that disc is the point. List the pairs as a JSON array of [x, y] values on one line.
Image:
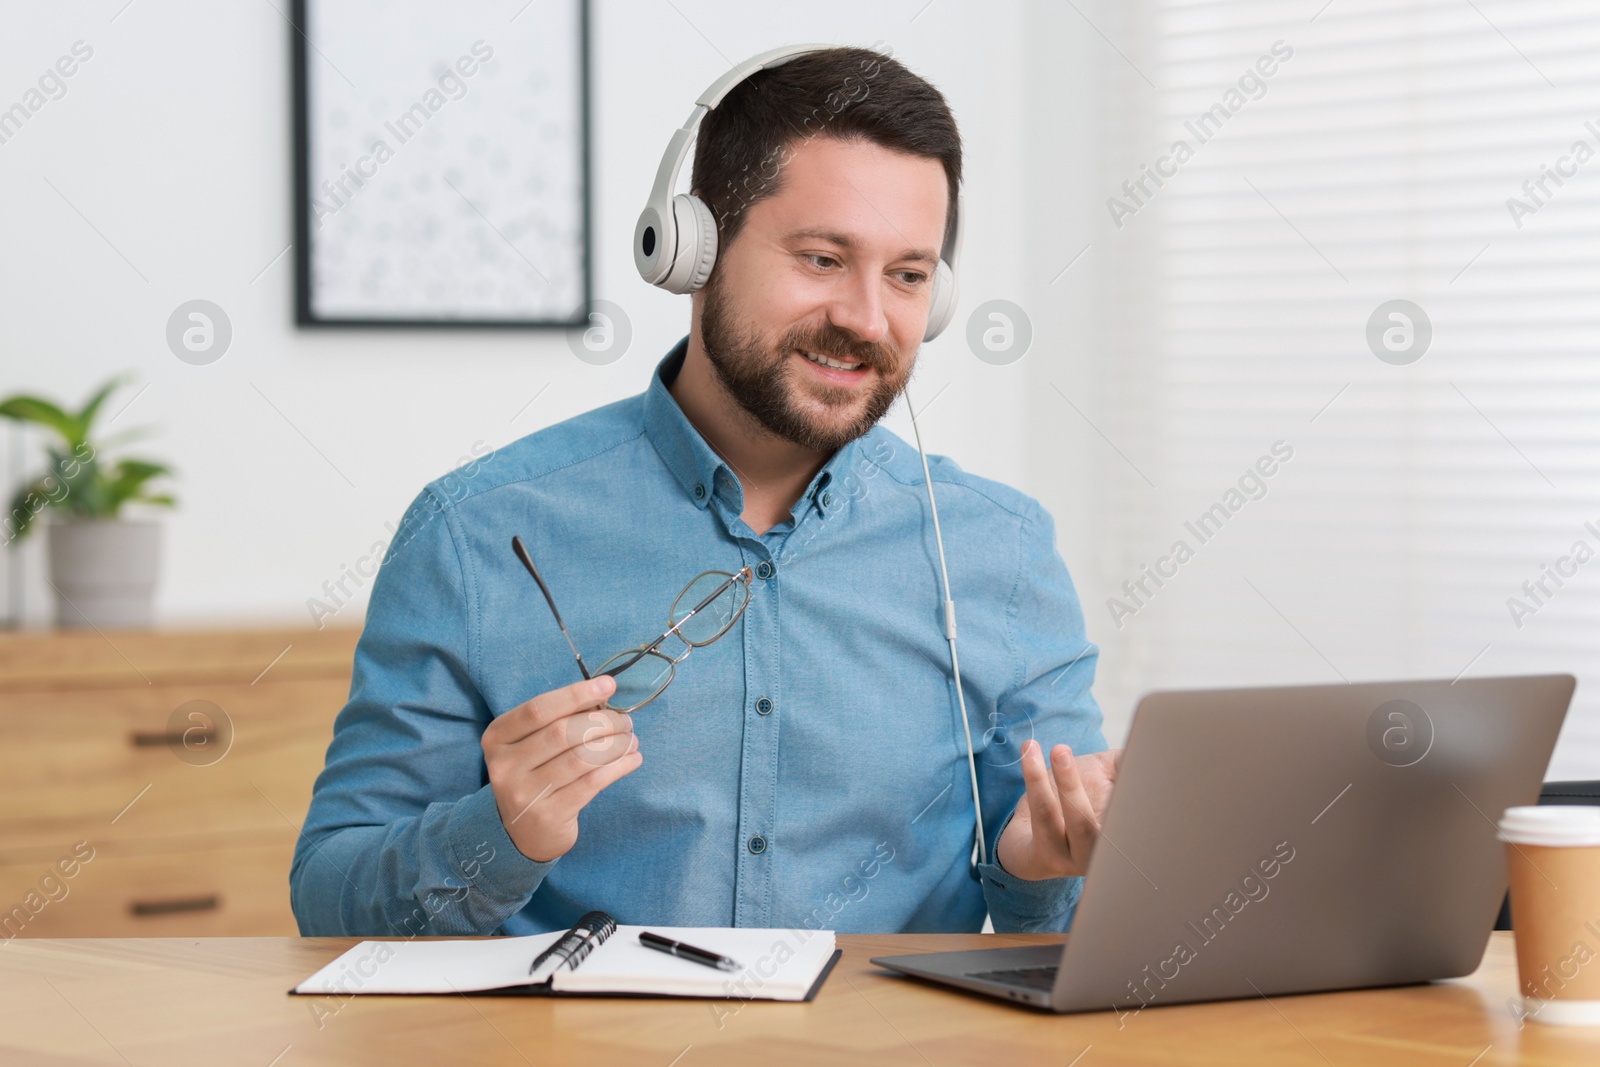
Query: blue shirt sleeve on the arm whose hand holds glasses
[[404, 836]]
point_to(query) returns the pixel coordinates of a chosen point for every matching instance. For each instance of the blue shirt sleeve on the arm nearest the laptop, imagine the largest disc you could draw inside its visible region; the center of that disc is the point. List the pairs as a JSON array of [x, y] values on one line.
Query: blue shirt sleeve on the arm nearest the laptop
[[1050, 703]]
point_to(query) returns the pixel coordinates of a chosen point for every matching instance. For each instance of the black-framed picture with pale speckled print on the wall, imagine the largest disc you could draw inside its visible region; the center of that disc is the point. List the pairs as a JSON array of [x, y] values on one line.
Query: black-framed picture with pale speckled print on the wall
[[442, 164]]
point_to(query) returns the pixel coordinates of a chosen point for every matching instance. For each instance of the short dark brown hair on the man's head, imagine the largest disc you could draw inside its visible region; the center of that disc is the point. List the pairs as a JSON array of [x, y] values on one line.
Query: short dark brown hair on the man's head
[[849, 94]]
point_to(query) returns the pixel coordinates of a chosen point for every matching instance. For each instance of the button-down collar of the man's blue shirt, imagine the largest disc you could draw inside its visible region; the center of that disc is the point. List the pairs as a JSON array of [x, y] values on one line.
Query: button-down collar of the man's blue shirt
[[697, 468]]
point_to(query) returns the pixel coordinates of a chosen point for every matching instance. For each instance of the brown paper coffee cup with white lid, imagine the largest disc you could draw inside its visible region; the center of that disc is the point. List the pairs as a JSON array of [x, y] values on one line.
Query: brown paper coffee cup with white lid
[[1553, 855]]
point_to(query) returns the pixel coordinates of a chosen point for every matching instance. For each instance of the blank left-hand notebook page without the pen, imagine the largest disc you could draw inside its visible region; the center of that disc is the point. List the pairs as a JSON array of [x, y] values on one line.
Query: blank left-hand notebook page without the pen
[[430, 967]]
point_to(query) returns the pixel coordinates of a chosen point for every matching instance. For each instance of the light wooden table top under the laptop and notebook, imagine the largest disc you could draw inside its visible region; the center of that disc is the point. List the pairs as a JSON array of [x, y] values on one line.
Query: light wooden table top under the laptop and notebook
[[223, 1001]]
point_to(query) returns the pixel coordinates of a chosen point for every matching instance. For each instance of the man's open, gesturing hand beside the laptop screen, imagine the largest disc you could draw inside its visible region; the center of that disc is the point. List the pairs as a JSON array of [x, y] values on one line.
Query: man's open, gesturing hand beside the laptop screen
[[1060, 815]]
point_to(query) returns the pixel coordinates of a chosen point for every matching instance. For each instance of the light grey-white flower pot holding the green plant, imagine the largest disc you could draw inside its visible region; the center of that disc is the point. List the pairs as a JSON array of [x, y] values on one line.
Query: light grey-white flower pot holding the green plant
[[105, 570]]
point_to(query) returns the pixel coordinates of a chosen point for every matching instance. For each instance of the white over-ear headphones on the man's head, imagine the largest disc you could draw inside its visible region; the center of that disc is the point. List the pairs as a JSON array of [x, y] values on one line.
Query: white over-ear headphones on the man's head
[[676, 239]]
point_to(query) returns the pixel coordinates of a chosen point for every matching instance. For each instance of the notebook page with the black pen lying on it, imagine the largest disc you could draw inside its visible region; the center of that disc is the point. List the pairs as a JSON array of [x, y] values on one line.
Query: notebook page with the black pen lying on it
[[778, 964]]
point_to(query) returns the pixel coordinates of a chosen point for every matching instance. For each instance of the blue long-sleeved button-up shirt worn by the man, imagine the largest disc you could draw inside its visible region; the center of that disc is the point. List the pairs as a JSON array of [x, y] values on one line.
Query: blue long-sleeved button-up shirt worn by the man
[[806, 770]]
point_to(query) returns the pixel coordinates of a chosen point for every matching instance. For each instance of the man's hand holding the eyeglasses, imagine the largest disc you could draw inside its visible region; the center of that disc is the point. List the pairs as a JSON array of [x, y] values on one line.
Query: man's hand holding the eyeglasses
[[550, 757]]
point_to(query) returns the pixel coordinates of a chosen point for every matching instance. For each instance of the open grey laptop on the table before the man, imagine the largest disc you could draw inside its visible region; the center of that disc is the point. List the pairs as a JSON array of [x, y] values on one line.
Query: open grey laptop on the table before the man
[[1289, 841]]
